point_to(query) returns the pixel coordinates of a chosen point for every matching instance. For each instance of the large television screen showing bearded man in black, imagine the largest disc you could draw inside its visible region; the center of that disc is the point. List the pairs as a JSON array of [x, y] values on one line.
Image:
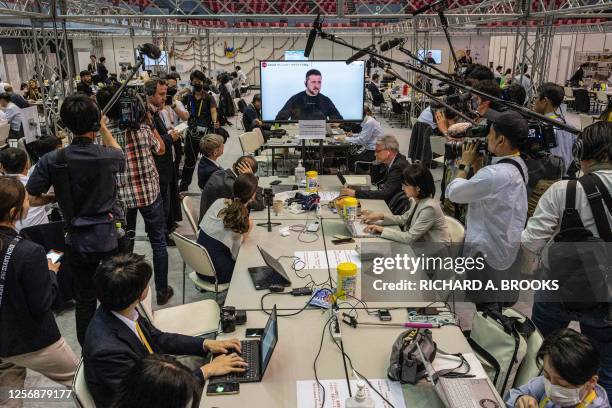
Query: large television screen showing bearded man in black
[[310, 90]]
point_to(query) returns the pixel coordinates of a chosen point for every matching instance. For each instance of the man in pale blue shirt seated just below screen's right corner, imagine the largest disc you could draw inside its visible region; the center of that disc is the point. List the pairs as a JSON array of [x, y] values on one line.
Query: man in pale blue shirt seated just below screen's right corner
[[365, 141]]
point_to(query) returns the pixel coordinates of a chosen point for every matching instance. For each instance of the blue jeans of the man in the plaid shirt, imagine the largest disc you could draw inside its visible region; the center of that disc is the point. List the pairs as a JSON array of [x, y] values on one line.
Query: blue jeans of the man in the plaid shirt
[[155, 225]]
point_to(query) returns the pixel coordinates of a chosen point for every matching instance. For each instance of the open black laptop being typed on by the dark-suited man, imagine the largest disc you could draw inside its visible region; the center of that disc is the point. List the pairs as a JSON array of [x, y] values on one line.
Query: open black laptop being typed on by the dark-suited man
[[256, 353]]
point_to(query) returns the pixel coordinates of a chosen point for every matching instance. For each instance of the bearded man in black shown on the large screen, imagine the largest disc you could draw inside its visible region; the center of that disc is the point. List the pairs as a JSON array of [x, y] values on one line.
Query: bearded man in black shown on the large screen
[[309, 104]]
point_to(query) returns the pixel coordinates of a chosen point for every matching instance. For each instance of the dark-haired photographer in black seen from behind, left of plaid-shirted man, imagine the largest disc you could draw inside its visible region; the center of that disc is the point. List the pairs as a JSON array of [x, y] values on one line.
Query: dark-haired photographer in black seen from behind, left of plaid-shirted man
[[83, 176]]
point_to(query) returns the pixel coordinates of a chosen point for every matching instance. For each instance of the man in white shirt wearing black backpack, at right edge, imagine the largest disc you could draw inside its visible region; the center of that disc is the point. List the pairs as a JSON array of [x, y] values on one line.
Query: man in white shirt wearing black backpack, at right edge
[[594, 153]]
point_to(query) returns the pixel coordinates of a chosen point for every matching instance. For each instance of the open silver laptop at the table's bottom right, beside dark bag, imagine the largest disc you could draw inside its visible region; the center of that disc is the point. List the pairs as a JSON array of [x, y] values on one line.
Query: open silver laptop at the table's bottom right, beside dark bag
[[460, 392]]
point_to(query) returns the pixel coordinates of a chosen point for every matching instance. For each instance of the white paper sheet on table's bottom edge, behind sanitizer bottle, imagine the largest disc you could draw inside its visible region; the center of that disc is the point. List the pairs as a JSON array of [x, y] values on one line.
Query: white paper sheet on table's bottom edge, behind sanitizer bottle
[[309, 393]]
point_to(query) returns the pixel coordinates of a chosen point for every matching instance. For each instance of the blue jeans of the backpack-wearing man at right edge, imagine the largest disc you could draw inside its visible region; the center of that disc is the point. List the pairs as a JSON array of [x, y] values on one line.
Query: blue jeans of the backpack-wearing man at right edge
[[549, 317]]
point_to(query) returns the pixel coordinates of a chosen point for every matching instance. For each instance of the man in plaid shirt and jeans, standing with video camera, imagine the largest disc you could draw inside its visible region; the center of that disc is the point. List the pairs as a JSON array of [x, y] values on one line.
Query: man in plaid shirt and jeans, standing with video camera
[[139, 188]]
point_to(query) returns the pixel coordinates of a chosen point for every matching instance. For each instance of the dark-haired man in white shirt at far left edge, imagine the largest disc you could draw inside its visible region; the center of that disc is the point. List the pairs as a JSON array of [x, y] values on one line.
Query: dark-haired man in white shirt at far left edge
[[14, 163]]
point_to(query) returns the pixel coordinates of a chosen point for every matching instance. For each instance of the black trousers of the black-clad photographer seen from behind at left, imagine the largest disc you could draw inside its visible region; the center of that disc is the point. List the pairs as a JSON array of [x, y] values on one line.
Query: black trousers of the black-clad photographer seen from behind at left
[[84, 267]]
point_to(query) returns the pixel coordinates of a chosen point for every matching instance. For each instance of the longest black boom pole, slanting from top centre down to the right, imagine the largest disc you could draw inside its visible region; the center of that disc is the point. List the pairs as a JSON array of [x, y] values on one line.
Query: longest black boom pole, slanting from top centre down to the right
[[521, 109]]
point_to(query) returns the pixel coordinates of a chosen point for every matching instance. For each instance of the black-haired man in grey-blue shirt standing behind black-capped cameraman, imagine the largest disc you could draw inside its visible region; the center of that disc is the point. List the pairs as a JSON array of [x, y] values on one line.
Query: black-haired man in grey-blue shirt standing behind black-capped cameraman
[[547, 102]]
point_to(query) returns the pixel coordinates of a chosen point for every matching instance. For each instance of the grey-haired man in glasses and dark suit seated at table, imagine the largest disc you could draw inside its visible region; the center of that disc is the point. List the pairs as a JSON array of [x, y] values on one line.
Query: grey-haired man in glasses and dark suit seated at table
[[387, 154]]
